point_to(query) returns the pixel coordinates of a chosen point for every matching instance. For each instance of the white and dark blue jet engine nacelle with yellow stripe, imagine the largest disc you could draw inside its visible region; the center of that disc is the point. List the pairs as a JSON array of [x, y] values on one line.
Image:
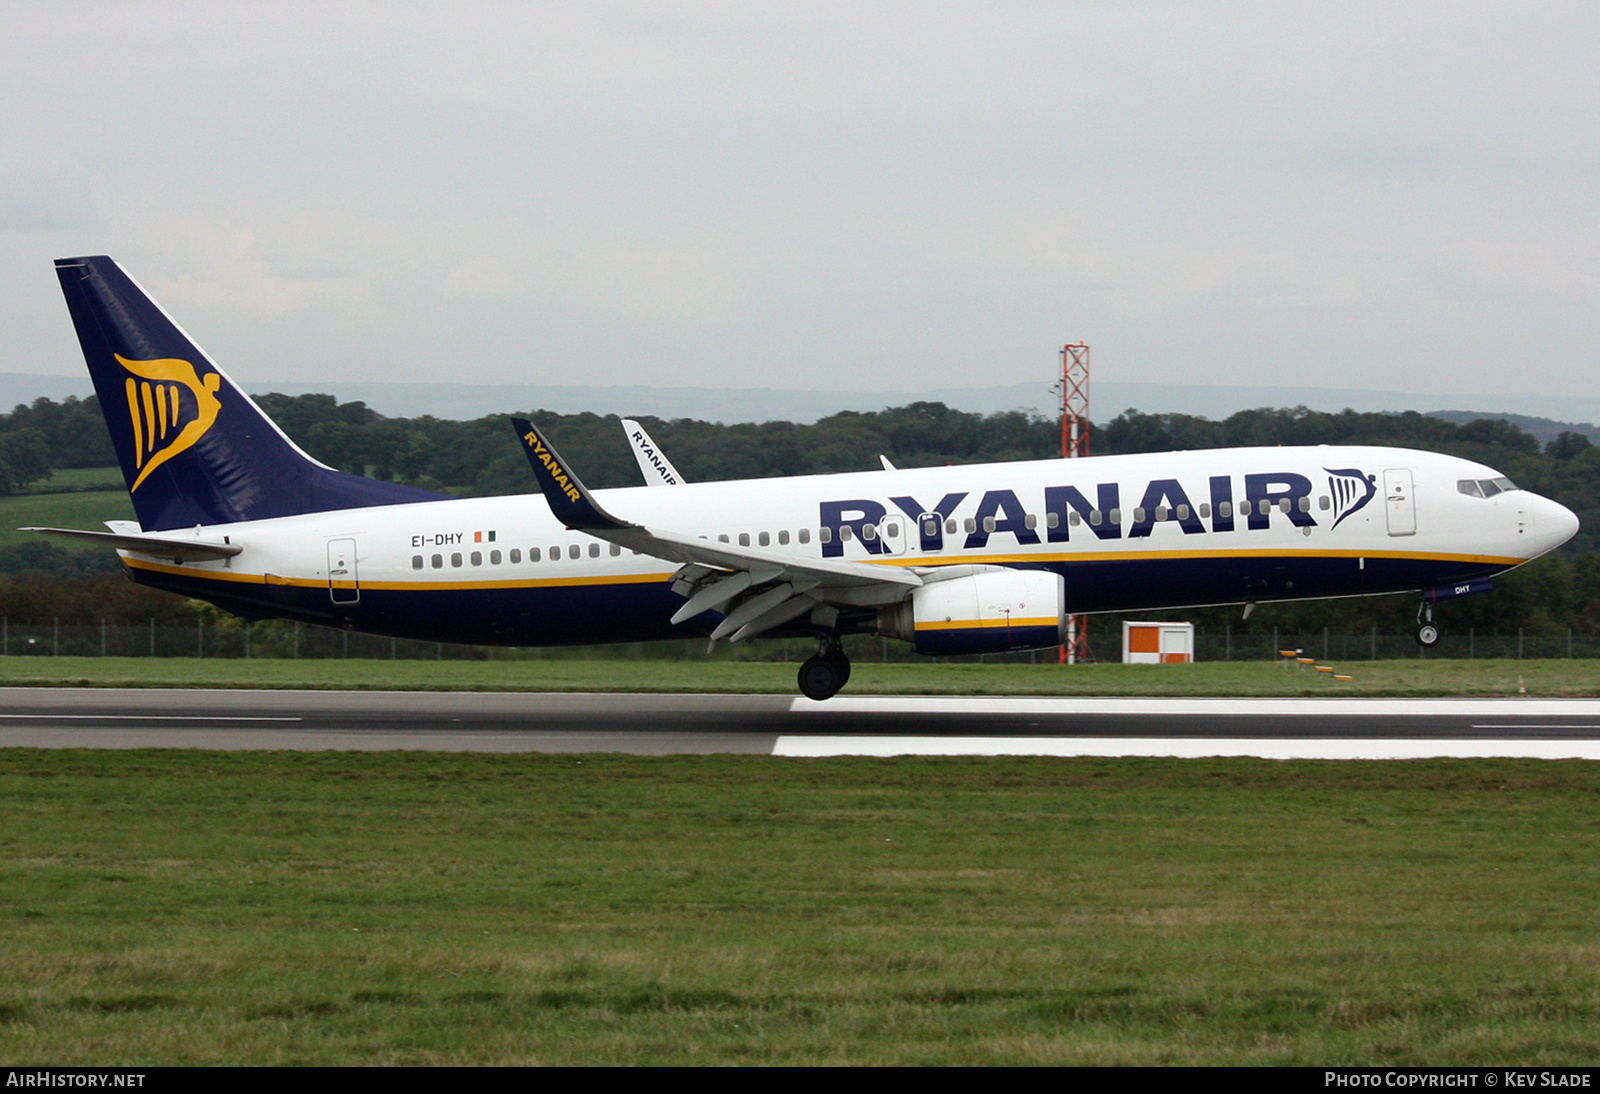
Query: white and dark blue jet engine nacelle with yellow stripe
[[990, 612]]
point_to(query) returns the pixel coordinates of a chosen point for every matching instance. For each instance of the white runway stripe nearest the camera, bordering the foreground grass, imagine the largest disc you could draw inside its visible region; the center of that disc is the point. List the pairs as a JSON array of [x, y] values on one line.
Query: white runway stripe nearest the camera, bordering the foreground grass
[[1186, 748]]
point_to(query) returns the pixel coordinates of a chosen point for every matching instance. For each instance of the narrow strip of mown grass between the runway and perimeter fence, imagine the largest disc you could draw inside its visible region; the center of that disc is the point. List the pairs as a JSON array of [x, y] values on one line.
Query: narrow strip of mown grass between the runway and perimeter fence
[[1396, 679]]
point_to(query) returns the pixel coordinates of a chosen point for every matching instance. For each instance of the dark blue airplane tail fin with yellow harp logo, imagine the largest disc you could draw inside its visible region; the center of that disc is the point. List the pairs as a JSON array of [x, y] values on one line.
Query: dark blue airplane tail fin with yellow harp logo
[[194, 449]]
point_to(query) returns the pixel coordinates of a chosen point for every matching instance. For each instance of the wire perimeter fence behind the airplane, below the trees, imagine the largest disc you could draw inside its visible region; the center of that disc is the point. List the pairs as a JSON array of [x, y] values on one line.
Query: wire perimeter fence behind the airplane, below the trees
[[286, 641]]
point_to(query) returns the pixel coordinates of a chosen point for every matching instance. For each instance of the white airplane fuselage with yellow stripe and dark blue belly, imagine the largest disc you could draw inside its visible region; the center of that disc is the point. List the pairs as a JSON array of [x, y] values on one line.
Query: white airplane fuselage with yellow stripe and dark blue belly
[[1124, 532]]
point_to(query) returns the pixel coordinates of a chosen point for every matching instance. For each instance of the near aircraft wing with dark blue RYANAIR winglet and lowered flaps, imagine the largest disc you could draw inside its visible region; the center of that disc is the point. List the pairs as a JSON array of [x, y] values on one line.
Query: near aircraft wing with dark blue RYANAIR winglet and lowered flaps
[[769, 586]]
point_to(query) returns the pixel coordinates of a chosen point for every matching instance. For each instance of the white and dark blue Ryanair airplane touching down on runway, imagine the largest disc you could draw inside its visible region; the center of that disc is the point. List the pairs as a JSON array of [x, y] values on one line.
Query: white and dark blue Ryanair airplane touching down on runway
[[954, 561]]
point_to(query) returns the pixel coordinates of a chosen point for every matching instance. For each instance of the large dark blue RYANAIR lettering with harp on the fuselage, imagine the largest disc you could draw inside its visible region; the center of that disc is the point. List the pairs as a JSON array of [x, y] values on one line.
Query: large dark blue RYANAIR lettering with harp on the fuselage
[[1162, 500]]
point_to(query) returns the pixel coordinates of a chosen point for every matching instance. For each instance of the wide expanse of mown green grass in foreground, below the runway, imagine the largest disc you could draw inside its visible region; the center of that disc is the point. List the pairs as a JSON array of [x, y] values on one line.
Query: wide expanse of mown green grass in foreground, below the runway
[[186, 908]]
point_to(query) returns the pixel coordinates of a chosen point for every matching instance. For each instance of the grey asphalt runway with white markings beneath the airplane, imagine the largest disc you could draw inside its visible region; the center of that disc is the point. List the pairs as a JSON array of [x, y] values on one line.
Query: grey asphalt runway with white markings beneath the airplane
[[783, 725]]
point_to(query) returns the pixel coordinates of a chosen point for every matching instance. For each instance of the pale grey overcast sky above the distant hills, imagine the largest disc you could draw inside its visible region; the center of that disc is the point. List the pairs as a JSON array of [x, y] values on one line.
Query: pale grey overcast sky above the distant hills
[[823, 196]]
